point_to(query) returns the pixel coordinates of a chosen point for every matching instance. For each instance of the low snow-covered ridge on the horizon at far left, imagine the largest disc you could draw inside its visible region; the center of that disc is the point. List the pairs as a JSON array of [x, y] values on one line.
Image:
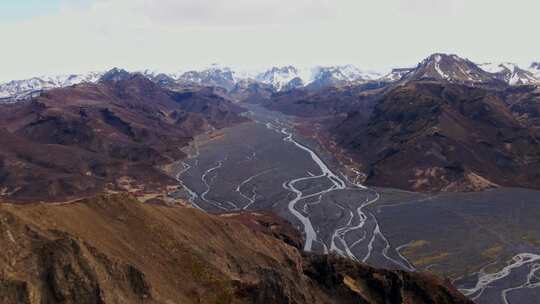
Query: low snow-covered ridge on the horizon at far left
[[22, 89]]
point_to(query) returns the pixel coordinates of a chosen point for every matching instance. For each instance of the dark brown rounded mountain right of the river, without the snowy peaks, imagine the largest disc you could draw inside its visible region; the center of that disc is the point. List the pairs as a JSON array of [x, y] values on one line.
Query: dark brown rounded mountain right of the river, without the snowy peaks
[[431, 136]]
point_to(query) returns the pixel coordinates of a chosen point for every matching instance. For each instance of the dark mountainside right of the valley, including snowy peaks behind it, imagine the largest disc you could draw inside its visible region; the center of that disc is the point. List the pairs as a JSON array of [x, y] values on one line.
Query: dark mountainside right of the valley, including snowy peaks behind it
[[446, 125]]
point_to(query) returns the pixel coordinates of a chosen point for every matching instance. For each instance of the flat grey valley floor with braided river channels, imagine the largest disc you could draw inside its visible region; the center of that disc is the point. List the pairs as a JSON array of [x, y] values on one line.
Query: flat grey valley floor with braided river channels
[[473, 238]]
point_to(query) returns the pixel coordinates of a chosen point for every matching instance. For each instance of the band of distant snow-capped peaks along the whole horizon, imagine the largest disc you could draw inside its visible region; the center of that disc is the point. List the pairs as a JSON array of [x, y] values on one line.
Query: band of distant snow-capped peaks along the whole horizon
[[437, 66]]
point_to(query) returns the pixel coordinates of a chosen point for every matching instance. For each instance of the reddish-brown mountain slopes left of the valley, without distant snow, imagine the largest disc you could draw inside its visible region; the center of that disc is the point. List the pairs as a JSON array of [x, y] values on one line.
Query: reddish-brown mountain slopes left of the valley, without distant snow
[[109, 136]]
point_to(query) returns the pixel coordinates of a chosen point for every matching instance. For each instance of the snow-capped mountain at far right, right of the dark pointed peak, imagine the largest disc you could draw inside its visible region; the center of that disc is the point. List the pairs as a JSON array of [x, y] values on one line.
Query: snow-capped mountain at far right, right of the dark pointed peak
[[510, 73]]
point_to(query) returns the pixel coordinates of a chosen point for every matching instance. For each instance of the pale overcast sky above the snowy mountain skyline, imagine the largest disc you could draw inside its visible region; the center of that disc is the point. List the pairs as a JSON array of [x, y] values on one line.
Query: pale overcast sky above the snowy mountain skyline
[[61, 36]]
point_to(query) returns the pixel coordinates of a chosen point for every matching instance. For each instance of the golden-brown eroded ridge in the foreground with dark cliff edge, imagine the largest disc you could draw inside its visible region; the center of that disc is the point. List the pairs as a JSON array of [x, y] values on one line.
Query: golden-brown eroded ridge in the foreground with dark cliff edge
[[113, 249]]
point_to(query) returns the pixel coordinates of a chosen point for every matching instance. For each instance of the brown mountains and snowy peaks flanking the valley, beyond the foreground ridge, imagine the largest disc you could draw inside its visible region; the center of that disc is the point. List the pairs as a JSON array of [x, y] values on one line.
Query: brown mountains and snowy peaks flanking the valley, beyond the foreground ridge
[[441, 105]]
